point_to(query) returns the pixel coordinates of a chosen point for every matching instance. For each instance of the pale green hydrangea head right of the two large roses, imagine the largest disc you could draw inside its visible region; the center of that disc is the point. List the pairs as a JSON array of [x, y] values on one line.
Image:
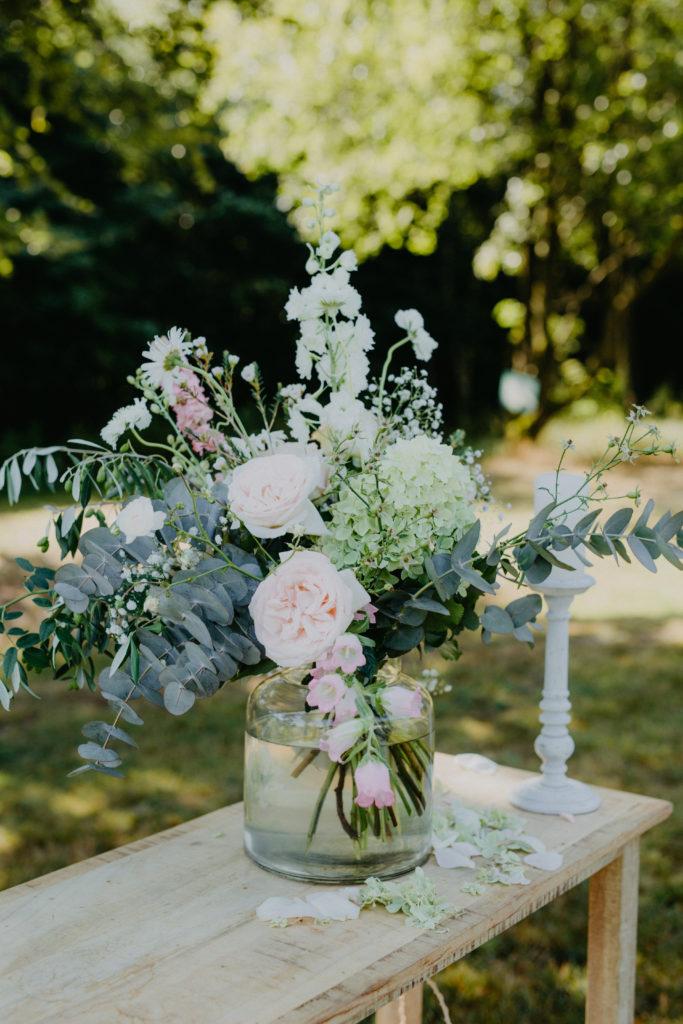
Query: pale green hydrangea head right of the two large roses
[[415, 501]]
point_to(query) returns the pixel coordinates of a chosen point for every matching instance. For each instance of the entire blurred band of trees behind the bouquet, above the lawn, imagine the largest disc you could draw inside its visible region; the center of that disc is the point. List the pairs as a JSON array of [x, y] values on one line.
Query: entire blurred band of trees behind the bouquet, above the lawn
[[519, 158]]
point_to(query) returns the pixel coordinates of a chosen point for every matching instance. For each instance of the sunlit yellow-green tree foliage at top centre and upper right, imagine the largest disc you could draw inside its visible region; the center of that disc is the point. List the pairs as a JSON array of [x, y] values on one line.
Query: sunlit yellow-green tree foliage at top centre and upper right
[[408, 103]]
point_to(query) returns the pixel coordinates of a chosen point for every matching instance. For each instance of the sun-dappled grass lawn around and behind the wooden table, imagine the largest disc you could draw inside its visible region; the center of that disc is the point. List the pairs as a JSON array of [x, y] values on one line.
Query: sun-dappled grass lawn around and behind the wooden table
[[626, 657]]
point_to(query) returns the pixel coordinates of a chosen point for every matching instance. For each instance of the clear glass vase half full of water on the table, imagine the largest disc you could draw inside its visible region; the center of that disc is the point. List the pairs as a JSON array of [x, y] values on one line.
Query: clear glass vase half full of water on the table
[[303, 819]]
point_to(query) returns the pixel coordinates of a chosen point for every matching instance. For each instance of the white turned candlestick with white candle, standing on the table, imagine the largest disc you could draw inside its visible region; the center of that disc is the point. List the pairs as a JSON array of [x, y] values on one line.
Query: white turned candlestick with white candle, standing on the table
[[552, 792]]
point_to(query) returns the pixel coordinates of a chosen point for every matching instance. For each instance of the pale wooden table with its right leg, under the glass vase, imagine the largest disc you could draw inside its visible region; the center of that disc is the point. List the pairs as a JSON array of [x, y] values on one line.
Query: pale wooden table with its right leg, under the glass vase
[[164, 930]]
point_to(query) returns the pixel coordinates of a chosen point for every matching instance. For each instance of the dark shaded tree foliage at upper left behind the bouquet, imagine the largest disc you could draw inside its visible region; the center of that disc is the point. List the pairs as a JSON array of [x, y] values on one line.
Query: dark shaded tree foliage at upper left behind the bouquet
[[121, 216]]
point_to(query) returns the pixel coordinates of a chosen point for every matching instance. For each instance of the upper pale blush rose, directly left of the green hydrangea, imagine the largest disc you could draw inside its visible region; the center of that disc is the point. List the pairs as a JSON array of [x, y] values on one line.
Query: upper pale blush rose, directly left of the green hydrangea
[[271, 495]]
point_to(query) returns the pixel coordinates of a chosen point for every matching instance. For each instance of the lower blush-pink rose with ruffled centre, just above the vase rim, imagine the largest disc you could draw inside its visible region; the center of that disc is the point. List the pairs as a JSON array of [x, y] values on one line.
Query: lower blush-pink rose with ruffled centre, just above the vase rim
[[302, 608]]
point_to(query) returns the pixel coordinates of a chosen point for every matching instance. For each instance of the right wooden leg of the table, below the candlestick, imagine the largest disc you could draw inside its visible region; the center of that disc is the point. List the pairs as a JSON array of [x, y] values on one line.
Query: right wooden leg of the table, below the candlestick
[[613, 924]]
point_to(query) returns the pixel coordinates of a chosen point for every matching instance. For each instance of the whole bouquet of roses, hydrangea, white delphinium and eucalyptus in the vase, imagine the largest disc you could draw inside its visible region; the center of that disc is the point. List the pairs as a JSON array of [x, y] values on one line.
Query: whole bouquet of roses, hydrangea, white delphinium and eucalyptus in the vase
[[340, 536]]
